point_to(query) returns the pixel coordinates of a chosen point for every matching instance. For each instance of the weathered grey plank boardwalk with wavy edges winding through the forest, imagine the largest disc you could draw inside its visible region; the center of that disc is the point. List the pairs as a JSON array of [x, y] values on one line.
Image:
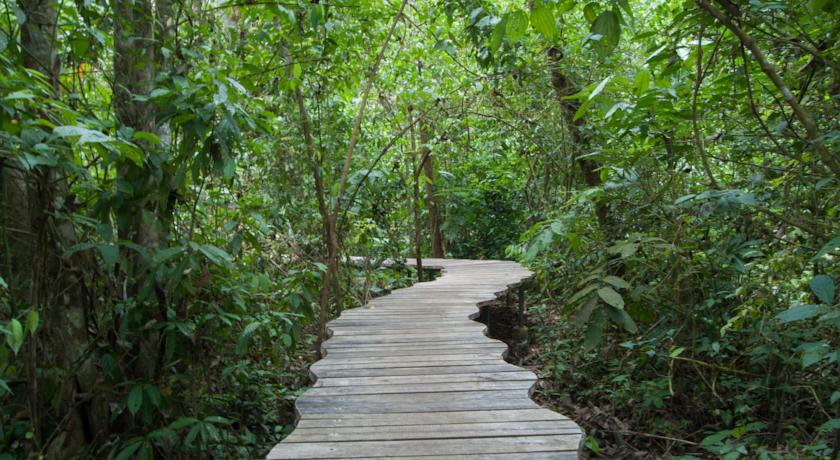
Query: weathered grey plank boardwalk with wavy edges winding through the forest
[[410, 375]]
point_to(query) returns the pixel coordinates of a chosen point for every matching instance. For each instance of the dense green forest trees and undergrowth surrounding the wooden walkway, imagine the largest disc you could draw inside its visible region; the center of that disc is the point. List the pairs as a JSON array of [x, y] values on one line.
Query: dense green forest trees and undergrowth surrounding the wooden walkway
[[180, 182]]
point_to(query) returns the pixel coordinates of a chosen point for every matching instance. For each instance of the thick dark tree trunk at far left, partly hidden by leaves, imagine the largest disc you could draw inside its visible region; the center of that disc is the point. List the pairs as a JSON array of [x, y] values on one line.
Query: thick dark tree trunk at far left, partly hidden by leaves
[[34, 240]]
